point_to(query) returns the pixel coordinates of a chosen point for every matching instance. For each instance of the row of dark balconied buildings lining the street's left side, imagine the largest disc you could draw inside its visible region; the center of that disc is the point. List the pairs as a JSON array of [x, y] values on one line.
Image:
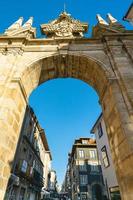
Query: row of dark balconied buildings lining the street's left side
[[32, 162]]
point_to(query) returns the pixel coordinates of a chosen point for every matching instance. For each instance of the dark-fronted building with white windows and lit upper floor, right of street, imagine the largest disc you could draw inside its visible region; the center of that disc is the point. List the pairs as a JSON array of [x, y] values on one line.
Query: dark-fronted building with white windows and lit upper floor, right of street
[[85, 173]]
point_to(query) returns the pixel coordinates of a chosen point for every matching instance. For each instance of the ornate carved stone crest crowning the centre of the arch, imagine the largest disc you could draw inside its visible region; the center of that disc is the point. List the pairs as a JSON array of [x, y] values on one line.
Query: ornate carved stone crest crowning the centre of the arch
[[64, 26]]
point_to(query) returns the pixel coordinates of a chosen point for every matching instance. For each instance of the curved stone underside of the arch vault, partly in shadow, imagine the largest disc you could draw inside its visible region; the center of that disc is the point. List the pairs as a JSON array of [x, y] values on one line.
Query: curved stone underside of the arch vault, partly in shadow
[[77, 66]]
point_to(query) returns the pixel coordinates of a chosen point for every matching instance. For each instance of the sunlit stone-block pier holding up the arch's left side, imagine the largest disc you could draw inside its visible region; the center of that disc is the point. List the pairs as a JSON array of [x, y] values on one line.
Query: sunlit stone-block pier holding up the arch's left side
[[12, 109]]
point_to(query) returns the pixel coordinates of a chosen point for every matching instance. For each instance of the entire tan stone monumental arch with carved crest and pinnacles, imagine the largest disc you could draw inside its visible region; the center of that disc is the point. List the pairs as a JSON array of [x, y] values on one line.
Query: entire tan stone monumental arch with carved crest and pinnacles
[[104, 61]]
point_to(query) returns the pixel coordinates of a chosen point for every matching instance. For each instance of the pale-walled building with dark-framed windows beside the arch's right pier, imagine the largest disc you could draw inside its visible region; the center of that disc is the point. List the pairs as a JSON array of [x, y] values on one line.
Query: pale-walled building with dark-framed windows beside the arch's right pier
[[104, 152]]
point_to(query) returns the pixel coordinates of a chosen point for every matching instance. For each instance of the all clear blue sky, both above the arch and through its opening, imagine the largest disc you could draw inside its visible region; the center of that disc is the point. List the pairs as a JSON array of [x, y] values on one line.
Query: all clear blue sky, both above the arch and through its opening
[[66, 108]]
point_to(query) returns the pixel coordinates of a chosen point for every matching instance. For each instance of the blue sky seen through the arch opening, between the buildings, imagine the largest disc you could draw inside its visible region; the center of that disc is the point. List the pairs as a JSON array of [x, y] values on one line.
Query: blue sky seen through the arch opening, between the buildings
[[67, 110]]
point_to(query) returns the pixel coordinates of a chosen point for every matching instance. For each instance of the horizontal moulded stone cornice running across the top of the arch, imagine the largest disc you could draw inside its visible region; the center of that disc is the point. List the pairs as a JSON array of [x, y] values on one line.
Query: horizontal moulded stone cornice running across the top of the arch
[[18, 45]]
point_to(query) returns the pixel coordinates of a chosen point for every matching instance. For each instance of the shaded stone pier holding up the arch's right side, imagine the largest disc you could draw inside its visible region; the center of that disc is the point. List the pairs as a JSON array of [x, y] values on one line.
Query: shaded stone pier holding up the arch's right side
[[117, 119]]
